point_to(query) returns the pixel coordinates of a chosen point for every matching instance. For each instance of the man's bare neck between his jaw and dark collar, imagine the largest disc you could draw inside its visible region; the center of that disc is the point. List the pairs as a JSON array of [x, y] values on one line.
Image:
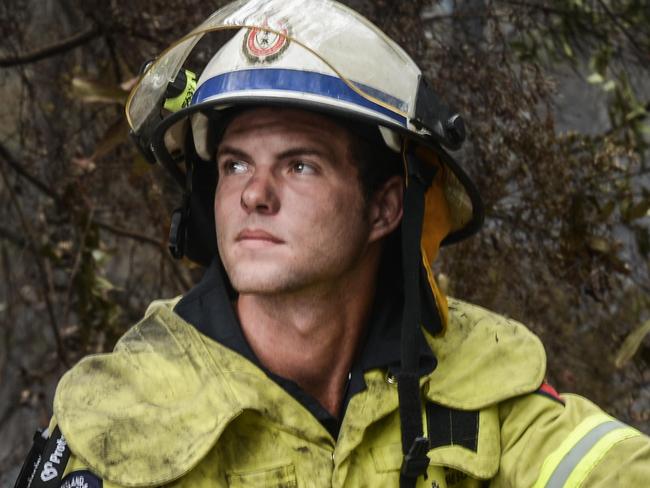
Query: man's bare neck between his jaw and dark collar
[[312, 336]]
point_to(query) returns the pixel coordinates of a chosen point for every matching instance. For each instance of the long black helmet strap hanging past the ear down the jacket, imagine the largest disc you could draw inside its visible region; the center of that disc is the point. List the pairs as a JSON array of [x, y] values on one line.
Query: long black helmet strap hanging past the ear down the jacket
[[414, 444]]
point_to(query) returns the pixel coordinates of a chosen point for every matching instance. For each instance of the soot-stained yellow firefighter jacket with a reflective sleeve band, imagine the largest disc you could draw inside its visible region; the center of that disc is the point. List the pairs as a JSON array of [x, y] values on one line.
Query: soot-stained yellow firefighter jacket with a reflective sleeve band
[[174, 407]]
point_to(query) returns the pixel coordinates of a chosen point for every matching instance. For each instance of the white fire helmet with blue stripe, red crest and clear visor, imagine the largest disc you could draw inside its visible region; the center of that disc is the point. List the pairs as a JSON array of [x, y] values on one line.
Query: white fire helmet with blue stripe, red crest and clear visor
[[313, 54]]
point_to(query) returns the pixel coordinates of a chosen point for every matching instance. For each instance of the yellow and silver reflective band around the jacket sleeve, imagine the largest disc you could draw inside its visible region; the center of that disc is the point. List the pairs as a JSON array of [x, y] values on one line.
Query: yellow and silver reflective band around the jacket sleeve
[[584, 447]]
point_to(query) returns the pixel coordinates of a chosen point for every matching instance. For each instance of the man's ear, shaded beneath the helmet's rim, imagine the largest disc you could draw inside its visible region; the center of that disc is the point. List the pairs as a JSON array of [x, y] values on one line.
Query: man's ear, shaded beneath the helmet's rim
[[386, 208]]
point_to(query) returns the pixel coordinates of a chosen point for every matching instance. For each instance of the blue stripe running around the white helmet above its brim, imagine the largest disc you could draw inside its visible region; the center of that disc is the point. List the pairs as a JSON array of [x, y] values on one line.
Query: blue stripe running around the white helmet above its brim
[[297, 81]]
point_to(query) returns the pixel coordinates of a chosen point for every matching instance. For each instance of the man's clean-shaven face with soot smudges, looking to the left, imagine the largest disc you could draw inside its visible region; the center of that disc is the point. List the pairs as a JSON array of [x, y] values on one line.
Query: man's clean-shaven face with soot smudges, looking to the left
[[289, 208]]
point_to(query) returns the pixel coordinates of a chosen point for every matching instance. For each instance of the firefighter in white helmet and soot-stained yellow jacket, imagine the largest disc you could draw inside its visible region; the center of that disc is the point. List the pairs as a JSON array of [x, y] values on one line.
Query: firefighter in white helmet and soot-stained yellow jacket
[[317, 350]]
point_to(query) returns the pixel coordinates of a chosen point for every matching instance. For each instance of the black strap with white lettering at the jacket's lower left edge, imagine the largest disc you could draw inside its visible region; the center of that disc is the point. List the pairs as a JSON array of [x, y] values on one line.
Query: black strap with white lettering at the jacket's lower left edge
[[45, 462]]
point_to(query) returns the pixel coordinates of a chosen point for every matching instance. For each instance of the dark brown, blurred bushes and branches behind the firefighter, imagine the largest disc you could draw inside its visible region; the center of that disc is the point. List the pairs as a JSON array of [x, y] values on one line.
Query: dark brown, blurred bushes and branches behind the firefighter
[[556, 98]]
